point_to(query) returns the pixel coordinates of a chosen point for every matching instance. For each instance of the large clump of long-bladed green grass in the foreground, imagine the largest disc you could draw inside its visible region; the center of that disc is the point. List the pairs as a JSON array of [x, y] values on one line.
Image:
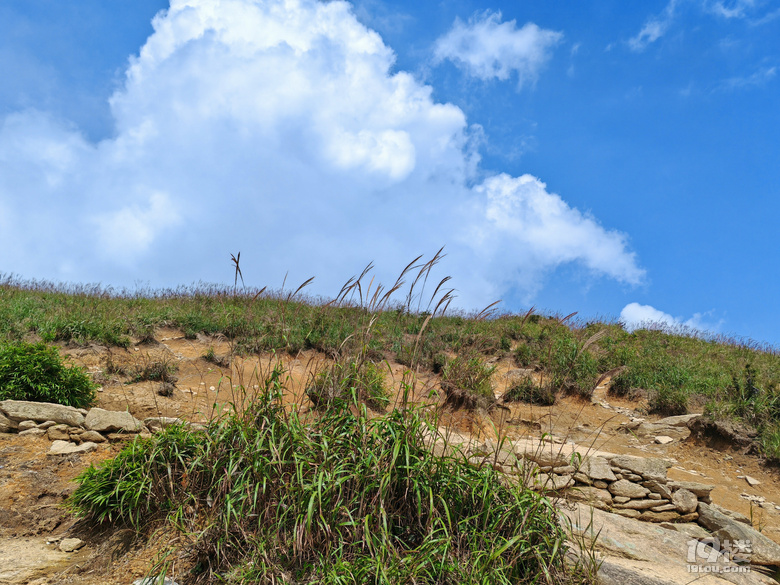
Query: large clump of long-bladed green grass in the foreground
[[343, 497]]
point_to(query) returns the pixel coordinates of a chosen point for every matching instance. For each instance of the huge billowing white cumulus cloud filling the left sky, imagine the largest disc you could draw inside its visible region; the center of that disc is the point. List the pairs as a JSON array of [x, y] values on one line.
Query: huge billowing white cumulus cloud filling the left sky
[[279, 129]]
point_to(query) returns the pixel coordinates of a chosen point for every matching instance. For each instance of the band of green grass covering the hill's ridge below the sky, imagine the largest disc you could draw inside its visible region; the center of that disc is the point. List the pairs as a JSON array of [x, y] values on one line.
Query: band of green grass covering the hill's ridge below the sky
[[675, 370]]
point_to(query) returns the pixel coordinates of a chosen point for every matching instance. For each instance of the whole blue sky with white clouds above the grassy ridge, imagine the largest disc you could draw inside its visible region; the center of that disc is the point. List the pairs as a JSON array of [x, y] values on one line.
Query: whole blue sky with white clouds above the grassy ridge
[[615, 159]]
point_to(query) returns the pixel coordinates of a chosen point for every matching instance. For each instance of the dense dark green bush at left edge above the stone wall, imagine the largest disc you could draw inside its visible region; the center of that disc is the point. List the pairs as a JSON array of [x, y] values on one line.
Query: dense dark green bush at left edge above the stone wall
[[36, 372]]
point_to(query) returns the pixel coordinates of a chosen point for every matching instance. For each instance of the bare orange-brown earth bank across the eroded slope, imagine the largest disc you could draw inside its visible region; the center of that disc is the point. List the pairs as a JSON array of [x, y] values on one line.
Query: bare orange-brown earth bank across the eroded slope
[[34, 484]]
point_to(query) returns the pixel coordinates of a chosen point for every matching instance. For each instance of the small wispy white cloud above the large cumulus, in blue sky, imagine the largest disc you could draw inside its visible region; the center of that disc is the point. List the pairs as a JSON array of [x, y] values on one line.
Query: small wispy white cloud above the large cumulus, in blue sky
[[487, 48]]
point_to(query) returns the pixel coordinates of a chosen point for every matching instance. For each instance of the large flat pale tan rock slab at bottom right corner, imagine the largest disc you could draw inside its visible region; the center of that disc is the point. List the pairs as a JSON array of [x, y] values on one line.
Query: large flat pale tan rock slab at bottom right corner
[[642, 553]]
